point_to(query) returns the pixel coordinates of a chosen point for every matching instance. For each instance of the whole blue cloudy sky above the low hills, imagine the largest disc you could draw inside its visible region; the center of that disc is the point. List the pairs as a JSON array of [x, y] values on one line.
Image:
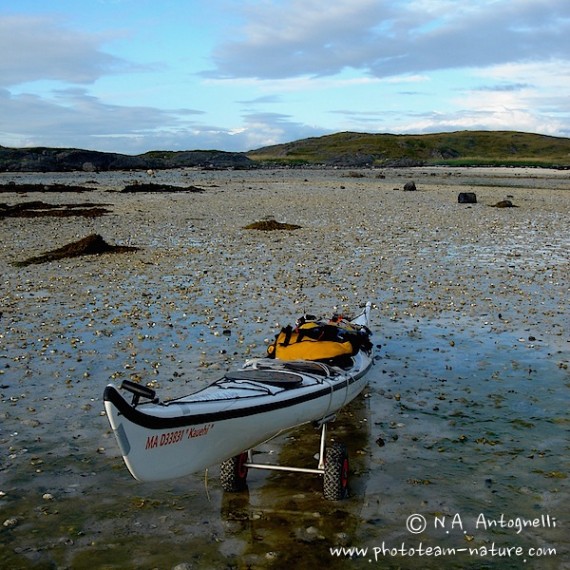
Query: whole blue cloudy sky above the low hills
[[136, 75]]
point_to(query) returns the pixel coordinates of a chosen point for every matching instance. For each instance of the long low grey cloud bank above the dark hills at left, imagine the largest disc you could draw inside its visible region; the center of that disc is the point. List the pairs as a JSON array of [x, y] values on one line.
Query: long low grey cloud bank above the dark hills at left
[[73, 118]]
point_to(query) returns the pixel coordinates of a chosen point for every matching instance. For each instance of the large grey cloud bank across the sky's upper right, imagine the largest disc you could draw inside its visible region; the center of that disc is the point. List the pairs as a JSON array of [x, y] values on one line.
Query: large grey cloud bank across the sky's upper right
[[384, 38]]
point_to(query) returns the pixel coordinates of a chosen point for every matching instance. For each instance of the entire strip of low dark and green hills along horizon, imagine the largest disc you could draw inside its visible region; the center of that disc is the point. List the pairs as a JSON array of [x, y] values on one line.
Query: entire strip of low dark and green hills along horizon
[[340, 150]]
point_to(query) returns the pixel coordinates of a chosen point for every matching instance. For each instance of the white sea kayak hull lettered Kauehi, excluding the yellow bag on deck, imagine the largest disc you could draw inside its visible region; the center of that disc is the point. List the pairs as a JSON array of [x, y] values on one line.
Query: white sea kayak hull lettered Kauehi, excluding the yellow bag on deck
[[246, 407]]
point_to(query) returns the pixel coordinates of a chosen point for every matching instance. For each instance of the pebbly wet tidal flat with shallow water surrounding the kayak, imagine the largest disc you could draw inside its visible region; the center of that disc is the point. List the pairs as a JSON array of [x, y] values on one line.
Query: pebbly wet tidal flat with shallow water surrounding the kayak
[[465, 418]]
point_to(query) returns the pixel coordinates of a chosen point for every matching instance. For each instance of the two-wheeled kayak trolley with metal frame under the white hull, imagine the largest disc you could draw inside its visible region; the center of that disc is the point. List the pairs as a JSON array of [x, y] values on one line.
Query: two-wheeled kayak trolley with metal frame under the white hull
[[332, 465]]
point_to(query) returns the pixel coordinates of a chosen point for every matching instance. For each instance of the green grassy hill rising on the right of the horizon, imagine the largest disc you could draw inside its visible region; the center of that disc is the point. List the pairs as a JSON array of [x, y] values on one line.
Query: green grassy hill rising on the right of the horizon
[[463, 148]]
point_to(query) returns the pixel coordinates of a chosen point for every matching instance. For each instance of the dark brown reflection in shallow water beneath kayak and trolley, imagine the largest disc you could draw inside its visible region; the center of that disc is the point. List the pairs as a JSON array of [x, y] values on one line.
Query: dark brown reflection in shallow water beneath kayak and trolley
[[283, 518]]
